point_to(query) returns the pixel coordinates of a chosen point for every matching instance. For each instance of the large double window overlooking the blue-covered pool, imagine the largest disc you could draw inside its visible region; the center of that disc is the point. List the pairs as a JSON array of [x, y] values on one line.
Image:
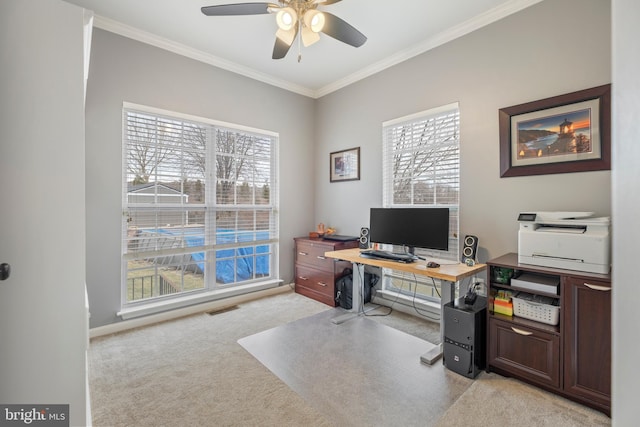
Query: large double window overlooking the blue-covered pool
[[199, 206]]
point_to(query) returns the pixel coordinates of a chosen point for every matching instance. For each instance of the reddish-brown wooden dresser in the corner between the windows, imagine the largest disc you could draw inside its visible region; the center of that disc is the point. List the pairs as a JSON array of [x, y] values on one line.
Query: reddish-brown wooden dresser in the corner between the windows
[[315, 274]]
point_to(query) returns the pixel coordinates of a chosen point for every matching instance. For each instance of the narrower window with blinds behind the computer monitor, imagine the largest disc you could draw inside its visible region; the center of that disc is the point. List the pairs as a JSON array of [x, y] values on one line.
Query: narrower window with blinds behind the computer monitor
[[421, 167]]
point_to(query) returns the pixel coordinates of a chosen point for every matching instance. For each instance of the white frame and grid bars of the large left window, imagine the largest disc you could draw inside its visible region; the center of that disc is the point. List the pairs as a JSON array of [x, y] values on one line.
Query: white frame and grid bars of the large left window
[[208, 208]]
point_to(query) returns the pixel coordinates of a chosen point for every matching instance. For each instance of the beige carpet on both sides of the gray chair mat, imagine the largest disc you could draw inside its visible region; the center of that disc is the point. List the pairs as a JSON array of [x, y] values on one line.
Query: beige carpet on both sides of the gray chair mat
[[192, 372]]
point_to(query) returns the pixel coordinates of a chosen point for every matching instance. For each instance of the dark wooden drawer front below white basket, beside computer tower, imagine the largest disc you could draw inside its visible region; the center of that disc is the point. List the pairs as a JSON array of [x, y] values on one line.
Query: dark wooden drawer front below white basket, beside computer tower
[[526, 352]]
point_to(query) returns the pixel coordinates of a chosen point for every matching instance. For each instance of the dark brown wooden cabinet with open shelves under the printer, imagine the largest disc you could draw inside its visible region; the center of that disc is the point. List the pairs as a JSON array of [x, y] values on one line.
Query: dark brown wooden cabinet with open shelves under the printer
[[572, 358]]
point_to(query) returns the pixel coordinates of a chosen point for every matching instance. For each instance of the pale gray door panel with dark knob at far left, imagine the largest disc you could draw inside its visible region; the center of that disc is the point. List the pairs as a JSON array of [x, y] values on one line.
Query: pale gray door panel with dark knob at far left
[[43, 318]]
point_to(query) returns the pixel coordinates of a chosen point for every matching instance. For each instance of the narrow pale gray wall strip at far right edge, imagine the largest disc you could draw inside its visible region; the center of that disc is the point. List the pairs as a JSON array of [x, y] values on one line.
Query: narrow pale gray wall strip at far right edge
[[626, 202]]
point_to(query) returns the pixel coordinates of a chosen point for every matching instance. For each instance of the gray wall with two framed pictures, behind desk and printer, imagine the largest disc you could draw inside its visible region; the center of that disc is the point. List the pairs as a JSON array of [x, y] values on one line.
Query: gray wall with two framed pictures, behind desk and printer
[[524, 57]]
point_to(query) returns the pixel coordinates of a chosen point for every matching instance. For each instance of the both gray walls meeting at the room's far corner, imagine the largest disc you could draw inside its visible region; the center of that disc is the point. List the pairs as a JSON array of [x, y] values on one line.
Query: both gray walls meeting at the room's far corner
[[519, 59]]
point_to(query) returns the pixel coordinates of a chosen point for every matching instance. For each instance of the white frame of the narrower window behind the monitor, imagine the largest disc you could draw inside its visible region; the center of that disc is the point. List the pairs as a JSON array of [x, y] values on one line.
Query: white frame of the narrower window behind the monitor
[[443, 125]]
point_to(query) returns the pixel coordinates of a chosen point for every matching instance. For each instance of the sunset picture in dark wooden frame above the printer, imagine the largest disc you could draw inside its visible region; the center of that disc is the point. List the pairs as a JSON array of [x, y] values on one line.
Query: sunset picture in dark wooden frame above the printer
[[565, 133]]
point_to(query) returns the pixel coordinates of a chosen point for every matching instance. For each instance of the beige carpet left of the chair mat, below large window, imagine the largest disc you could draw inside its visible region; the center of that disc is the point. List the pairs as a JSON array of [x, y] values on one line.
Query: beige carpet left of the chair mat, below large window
[[192, 372]]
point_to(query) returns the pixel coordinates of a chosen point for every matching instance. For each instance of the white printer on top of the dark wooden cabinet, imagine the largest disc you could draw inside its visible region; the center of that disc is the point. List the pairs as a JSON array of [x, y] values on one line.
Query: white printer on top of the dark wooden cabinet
[[570, 240]]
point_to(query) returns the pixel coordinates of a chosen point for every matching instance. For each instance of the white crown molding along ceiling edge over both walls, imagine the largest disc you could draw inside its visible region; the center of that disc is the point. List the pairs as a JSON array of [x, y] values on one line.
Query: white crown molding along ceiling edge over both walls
[[453, 33]]
